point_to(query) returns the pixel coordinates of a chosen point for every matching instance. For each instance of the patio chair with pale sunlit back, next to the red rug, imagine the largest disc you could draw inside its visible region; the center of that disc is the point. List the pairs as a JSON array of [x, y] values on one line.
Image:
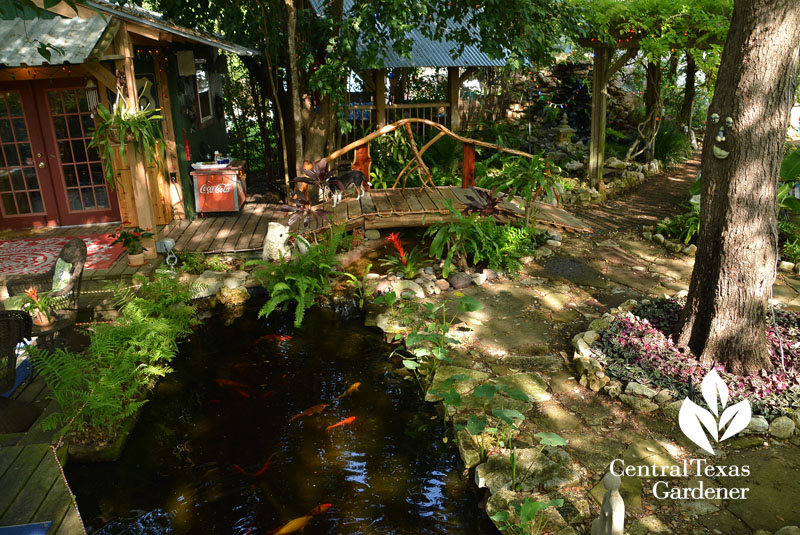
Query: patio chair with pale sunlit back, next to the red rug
[[63, 280]]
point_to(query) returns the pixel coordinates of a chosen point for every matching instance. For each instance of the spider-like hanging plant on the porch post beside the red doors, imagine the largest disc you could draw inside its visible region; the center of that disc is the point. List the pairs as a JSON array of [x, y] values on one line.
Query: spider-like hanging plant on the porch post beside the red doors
[[127, 123]]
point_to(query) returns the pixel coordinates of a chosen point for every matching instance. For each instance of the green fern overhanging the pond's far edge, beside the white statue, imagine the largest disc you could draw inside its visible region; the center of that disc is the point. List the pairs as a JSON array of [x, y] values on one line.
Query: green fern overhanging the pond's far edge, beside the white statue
[[302, 279]]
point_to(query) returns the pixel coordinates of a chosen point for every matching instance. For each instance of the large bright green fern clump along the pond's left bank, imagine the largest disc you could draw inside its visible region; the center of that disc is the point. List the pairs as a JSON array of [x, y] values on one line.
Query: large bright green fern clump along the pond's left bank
[[99, 389]]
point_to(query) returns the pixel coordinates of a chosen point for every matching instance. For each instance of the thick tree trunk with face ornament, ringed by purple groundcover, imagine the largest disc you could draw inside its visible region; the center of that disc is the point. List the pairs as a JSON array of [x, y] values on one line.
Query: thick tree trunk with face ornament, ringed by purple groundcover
[[724, 318]]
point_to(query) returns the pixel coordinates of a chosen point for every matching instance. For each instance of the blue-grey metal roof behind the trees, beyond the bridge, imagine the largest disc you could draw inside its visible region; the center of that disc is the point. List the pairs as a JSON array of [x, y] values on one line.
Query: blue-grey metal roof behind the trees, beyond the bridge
[[425, 52]]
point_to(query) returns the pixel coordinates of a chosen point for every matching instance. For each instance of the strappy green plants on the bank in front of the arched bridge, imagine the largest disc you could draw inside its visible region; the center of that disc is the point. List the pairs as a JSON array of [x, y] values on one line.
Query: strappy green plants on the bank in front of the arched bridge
[[480, 240]]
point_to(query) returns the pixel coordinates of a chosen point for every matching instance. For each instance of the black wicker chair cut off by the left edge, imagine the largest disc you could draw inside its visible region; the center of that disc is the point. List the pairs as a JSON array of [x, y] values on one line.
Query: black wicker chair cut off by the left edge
[[15, 416]]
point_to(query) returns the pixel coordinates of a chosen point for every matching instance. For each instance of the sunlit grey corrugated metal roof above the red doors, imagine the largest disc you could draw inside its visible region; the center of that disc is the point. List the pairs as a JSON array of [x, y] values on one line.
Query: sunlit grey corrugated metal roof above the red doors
[[76, 36]]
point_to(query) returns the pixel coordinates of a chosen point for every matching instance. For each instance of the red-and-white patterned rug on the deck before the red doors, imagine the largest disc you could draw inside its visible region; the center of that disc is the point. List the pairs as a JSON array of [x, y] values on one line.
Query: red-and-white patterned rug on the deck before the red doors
[[36, 255]]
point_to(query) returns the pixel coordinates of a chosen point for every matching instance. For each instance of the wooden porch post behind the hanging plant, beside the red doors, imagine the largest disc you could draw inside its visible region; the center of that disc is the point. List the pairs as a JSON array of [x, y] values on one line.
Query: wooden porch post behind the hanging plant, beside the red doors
[[141, 183]]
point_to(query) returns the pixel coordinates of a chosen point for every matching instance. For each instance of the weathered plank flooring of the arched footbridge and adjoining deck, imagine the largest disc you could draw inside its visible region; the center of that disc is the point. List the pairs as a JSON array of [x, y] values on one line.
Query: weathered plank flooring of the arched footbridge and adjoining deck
[[385, 208]]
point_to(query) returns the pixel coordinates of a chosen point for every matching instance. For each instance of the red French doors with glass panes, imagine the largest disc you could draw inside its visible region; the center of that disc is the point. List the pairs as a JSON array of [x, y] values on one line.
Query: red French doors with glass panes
[[53, 178]]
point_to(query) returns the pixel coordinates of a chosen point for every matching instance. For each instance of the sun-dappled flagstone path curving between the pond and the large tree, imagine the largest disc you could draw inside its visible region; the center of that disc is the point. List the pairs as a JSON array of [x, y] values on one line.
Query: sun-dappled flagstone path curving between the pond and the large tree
[[522, 337]]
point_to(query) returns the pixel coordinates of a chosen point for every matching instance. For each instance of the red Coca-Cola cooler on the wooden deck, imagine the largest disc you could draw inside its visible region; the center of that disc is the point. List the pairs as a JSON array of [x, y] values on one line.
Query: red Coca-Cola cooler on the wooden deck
[[219, 190]]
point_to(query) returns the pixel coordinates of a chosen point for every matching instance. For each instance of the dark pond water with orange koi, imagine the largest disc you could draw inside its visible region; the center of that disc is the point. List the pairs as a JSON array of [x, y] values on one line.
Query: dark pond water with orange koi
[[191, 464]]
